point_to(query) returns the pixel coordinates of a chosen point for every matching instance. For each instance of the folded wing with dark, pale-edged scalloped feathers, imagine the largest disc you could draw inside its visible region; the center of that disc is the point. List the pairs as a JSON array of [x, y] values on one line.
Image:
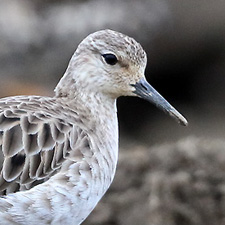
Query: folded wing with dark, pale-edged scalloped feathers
[[33, 144]]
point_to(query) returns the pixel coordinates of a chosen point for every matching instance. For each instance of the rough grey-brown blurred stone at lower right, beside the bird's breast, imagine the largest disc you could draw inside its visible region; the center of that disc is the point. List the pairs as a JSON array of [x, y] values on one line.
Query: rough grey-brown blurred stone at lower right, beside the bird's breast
[[180, 183]]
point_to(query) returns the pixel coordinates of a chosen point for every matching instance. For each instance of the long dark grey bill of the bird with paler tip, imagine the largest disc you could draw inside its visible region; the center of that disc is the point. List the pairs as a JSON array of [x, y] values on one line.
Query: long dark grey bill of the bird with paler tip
[[144, 90]]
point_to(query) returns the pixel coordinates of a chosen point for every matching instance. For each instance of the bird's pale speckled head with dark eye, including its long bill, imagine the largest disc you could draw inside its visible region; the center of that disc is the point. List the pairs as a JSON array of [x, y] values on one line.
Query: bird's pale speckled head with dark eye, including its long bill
[[113, 64]]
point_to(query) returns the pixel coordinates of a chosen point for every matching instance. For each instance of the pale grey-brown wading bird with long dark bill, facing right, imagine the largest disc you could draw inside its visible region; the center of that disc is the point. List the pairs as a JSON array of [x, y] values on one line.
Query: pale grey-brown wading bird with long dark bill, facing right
[[59, 154]]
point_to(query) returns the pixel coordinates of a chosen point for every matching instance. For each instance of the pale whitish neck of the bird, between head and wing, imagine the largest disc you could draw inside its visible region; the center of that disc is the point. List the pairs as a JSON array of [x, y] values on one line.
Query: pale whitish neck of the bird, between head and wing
[[98, 115]]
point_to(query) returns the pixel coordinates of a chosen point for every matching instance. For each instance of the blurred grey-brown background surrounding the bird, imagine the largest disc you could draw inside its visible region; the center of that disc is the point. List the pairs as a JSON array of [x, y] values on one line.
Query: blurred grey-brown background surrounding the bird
[[167, 174]]
